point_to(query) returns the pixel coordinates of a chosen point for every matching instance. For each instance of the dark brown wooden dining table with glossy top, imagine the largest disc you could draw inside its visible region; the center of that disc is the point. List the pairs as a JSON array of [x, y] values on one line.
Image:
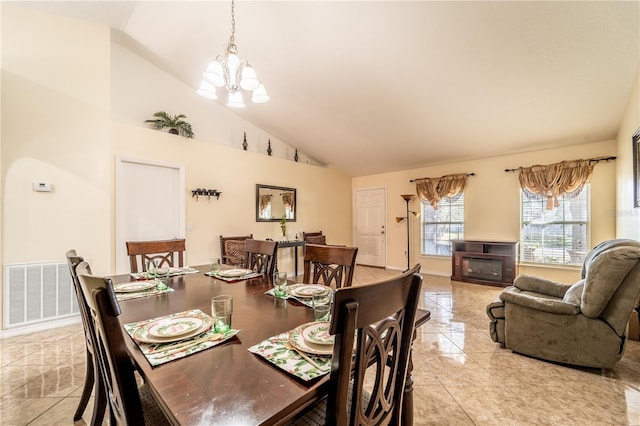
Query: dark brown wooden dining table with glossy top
[[227, 384]]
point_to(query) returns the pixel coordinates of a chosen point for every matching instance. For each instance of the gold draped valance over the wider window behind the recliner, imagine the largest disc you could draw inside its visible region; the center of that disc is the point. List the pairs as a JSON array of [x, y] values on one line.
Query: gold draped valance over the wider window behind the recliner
[[554, 180]]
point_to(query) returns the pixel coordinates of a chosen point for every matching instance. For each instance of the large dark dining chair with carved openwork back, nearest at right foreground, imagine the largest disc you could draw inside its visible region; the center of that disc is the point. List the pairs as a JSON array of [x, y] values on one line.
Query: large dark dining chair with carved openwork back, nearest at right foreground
[[373, 326]]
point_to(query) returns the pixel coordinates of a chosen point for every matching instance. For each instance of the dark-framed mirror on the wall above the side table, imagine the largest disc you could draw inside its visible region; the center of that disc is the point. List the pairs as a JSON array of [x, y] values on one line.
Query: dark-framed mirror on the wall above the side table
[[273, 202]]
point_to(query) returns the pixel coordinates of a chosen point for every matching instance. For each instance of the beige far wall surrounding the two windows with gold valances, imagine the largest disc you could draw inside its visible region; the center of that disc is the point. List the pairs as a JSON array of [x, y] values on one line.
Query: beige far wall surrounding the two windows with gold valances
[[492, 206]]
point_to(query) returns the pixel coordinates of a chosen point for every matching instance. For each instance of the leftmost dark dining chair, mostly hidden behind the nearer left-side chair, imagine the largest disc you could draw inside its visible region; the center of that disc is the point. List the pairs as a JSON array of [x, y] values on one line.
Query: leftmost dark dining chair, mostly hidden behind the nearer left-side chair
[[92, 379]]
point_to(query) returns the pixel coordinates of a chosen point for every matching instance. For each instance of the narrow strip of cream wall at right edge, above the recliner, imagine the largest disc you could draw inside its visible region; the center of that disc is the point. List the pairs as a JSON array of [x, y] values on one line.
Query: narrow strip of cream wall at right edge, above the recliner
[[628, 217]]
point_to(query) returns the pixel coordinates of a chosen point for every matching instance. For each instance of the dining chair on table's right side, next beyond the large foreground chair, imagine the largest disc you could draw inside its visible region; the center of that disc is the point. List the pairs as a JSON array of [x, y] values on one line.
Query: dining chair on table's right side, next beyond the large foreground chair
[[327, 264]]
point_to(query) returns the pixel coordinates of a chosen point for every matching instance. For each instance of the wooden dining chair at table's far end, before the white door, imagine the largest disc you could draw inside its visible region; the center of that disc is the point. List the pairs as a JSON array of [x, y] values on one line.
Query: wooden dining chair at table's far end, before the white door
[[165, 251]]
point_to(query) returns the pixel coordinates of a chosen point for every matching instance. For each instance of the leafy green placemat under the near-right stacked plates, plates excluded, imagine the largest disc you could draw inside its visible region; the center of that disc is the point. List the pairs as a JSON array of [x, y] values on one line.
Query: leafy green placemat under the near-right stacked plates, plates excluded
[[274, 351]]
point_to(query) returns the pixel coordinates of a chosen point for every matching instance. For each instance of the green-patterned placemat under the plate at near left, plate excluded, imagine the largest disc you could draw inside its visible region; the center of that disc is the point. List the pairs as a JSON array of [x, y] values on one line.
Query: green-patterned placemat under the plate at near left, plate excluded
[[158, 354]]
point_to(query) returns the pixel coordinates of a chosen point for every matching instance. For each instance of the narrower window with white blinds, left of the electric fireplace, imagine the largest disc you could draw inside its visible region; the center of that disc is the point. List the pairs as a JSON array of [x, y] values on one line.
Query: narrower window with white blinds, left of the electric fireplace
[[441, 226]]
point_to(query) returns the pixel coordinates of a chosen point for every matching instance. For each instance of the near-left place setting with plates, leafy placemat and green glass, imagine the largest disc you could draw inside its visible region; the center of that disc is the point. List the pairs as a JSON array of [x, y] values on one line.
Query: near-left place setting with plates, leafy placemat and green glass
[[178, 335]]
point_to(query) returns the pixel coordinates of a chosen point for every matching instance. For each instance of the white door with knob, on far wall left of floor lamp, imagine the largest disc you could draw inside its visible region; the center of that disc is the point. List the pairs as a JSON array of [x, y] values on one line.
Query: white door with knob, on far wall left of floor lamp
[[371, 216]]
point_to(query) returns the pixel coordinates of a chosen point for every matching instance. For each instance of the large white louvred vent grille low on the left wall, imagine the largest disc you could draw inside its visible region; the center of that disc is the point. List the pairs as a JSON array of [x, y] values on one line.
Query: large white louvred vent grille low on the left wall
[[38, 292]]
